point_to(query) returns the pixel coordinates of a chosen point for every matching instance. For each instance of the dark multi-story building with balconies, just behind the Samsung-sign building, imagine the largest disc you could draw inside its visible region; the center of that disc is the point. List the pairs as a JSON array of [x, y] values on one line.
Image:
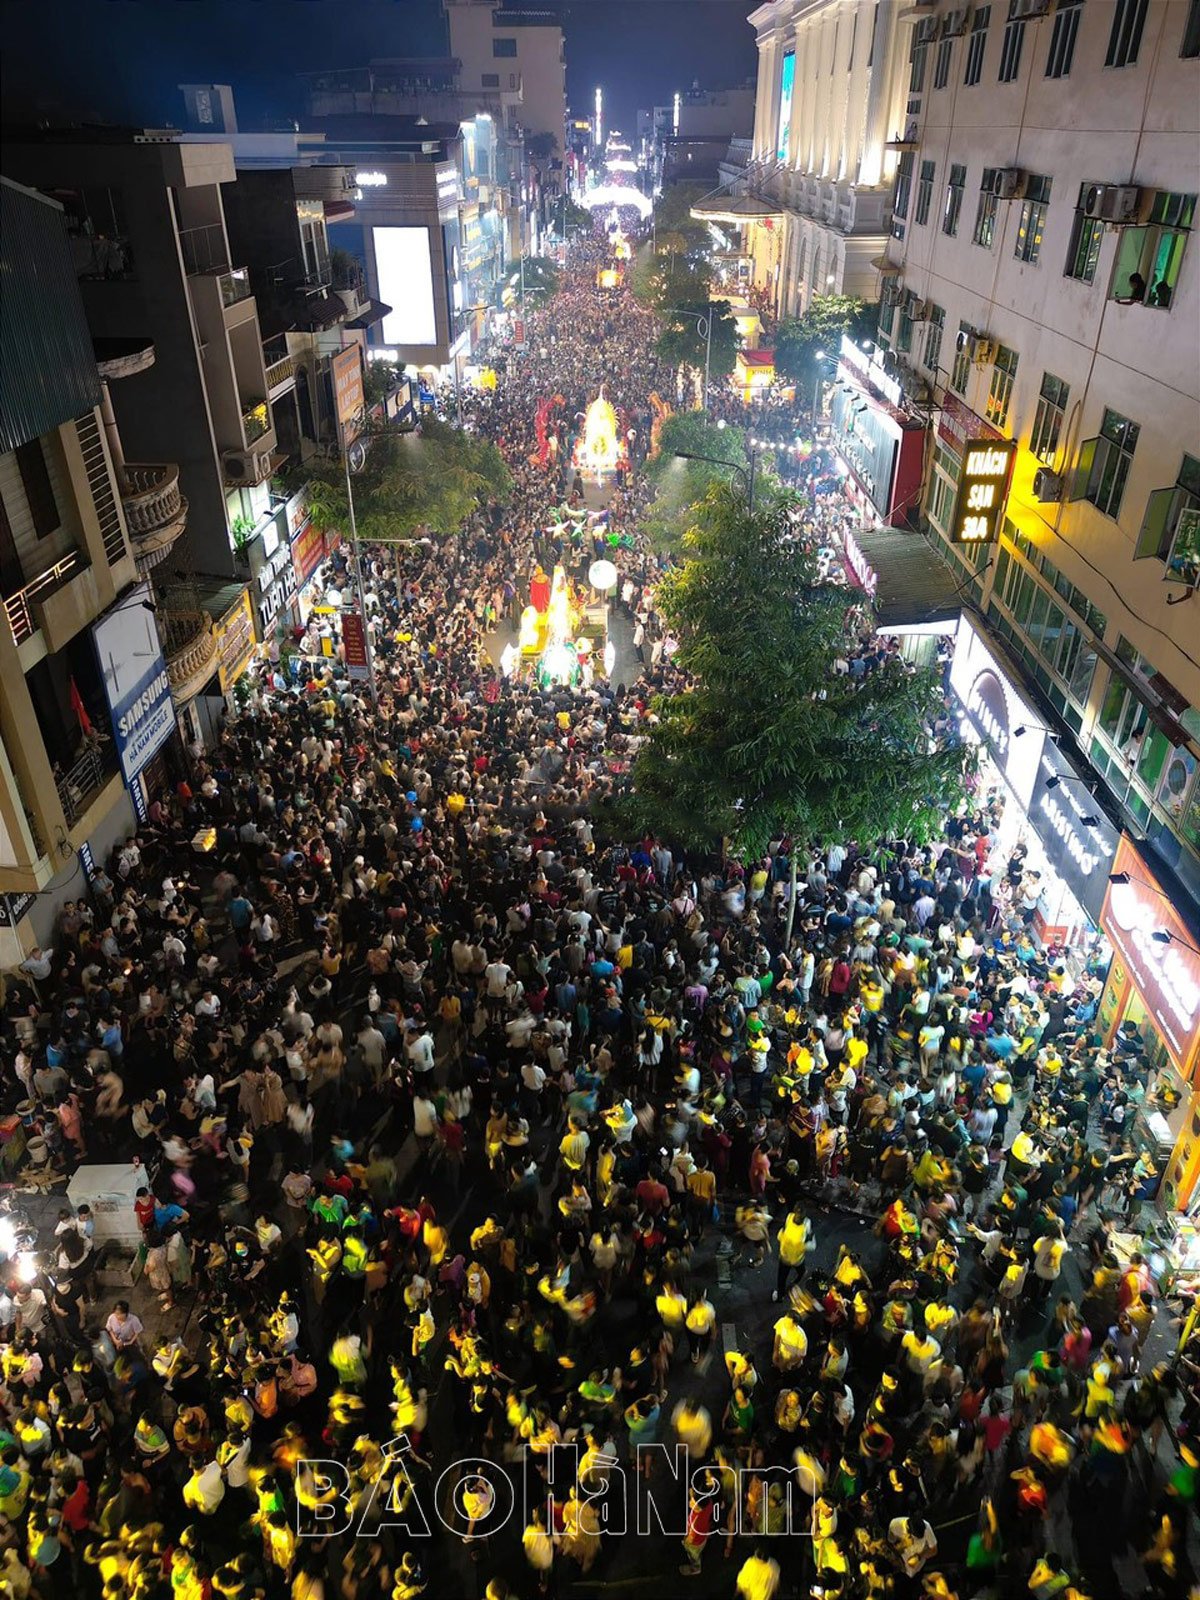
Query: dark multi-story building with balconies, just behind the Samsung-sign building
[[164, 290]]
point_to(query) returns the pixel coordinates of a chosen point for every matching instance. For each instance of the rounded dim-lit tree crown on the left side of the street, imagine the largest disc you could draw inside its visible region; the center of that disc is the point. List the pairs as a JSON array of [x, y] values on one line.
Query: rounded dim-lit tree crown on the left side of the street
[[412, 484]]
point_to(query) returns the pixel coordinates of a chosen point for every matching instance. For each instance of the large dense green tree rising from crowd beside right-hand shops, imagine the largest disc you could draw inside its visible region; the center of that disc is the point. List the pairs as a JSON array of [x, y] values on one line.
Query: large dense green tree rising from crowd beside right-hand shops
[[772, 740]]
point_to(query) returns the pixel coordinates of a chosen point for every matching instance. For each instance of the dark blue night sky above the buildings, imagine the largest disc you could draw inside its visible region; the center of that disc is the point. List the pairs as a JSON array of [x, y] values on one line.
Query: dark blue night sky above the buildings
[[122, 60]]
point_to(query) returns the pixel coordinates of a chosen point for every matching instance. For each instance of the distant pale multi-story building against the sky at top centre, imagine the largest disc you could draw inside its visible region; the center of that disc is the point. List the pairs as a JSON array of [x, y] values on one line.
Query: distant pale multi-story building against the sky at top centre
[[498, 52]]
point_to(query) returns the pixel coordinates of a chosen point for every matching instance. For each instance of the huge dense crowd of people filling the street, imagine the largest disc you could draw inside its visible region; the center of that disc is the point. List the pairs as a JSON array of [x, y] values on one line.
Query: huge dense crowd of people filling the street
[[473, 1137]]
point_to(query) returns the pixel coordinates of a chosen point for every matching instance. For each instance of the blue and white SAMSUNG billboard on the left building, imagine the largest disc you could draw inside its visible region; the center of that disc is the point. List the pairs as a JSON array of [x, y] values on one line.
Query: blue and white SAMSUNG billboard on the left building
[[135, 679]]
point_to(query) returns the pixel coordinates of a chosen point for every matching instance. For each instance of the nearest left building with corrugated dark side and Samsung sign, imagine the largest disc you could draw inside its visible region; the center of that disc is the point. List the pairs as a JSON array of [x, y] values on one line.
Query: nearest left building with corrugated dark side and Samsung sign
[[68, 574]]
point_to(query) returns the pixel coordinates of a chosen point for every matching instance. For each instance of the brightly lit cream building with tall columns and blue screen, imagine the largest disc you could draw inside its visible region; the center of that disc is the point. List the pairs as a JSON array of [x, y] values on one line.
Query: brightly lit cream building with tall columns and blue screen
[[814, 196]]
